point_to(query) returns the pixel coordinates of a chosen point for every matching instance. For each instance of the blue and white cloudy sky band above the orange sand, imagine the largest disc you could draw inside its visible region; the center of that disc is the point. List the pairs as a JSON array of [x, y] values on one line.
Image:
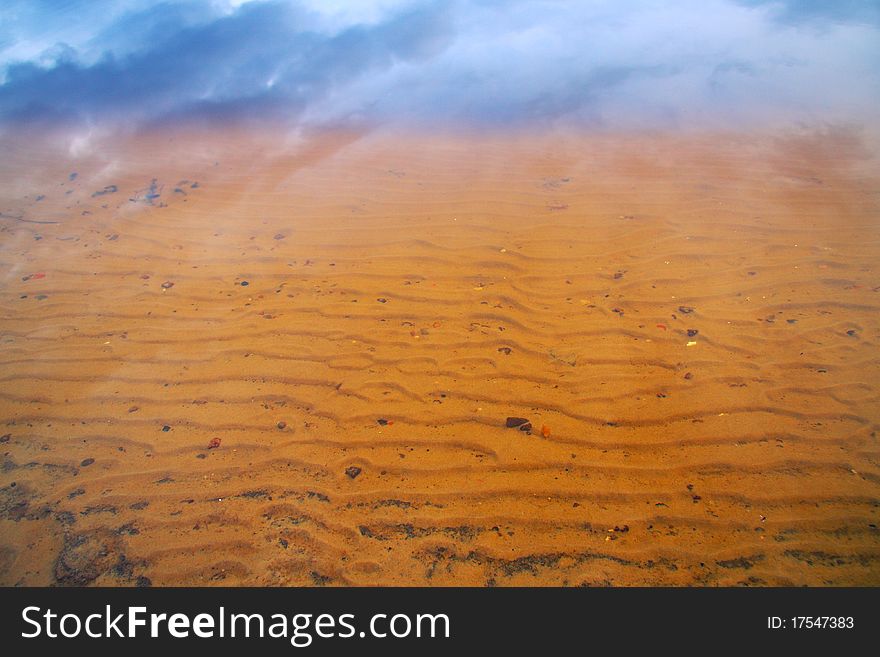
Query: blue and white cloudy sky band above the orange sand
[[611, 63]]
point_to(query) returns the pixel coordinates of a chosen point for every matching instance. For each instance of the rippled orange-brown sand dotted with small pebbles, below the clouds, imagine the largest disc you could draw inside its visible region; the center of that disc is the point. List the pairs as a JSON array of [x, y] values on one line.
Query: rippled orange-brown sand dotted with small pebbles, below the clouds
[[689, 323]]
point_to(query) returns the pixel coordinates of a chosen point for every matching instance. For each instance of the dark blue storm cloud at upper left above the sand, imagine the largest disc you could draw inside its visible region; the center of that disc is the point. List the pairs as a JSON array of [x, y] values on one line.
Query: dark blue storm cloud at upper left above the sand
[[261, 57]]
